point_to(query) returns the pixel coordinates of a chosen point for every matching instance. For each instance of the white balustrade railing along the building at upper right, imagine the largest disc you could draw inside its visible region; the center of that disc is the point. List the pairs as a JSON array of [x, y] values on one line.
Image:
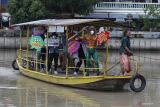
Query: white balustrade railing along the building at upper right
[[124, 5]]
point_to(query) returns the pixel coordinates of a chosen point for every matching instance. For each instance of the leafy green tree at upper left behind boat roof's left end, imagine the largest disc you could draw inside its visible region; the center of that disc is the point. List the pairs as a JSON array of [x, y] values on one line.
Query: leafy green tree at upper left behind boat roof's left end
[[26, 10]]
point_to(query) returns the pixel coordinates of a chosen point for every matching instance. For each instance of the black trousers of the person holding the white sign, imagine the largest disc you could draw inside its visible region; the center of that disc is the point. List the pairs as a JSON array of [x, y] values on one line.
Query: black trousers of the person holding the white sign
[[50, 59]]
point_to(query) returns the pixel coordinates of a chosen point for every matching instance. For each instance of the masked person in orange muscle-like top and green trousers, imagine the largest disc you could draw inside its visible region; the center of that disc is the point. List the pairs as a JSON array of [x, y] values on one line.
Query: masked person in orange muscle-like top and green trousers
[[91, 43]]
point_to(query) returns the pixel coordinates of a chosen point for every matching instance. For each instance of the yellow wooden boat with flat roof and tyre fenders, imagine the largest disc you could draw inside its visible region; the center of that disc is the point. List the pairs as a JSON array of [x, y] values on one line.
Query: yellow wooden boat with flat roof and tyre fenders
[[25, 60]]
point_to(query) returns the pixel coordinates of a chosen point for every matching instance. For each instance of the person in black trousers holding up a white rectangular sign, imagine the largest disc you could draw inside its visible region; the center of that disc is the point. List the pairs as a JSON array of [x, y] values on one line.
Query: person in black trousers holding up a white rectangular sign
[[53, 52]]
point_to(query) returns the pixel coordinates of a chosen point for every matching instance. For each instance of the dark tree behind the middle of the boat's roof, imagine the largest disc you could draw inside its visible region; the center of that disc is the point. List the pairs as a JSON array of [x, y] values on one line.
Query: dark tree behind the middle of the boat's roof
[[81, 7]]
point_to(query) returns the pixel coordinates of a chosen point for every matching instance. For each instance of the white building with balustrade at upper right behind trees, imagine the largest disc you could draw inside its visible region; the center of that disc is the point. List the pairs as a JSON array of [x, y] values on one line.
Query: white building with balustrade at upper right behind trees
[[121, 10]]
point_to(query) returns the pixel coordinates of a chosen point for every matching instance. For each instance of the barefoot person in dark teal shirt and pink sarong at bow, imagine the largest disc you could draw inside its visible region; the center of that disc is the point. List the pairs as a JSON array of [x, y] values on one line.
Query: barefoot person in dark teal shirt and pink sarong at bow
[[125, 53]]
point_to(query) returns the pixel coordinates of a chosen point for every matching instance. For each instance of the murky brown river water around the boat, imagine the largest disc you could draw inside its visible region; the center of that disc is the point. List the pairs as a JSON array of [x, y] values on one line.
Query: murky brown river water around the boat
[[17, 90]]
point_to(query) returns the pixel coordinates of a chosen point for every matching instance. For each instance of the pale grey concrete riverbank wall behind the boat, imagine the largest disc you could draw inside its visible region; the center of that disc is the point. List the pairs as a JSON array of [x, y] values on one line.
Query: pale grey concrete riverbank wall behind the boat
[[10, 39]]
